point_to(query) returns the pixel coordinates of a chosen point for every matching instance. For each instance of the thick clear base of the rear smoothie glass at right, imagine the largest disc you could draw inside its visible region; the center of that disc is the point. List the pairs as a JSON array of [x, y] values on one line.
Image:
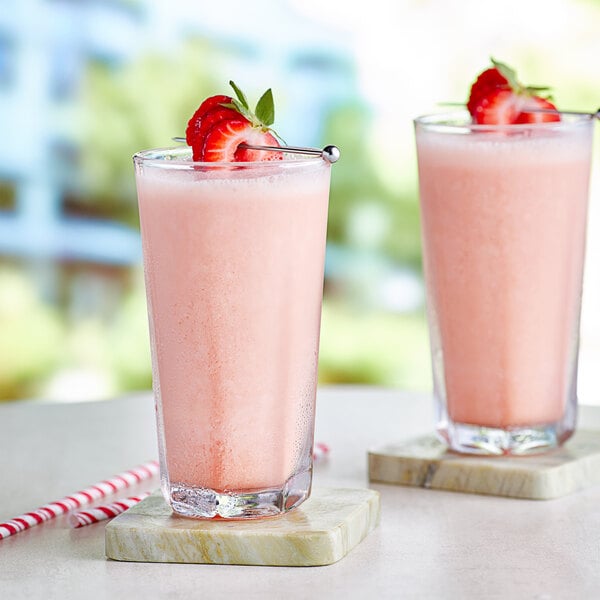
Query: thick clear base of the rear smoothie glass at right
[[517, 441]]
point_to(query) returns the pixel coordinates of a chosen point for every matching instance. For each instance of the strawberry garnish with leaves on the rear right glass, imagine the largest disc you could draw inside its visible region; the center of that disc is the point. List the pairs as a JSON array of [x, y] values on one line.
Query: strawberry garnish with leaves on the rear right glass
[[498, 98]]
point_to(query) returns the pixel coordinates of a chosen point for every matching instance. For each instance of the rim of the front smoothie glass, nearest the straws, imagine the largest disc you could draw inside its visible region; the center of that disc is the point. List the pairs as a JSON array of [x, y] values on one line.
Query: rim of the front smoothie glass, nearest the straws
[[159, 157]]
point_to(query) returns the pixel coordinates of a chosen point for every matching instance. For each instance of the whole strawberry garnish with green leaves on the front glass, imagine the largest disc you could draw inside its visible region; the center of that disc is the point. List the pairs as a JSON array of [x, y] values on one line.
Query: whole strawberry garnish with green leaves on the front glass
[[222, 123]]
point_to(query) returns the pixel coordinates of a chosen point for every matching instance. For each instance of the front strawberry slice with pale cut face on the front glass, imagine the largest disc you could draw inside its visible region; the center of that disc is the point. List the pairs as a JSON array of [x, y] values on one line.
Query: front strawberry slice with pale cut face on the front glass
[[222, 142]]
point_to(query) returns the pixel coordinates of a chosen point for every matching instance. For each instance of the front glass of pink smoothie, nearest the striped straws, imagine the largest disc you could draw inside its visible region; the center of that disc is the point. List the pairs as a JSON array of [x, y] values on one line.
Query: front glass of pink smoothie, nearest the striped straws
[[233, 261]]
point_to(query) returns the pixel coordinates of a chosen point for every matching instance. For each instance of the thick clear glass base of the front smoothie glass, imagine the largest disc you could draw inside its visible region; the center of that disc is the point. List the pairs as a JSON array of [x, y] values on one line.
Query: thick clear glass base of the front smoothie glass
[[203, 503]]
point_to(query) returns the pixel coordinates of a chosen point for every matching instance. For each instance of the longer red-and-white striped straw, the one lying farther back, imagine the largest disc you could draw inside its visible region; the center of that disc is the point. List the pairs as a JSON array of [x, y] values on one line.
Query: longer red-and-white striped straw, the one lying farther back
[[78, 499]]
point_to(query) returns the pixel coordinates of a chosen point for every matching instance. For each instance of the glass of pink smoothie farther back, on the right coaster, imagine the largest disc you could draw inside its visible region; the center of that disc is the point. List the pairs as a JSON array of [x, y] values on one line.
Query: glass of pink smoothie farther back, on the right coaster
[[503, 223]]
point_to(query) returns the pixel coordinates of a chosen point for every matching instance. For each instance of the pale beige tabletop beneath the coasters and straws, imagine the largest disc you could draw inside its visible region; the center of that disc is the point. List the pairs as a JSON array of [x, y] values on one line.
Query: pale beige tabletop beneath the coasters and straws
[[430, 544]]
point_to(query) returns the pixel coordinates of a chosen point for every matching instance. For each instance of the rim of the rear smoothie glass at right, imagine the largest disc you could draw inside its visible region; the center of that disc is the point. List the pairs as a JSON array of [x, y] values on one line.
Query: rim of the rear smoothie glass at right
[[459, 121]]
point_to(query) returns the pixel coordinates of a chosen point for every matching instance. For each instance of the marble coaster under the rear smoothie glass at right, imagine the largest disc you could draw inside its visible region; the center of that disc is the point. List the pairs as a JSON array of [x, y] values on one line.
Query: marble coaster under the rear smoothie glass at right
[[427, 463]]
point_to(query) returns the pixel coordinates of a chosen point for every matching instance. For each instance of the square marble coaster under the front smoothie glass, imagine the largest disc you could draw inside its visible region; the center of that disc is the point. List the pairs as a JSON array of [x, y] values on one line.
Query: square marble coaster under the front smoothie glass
[[319, 532]]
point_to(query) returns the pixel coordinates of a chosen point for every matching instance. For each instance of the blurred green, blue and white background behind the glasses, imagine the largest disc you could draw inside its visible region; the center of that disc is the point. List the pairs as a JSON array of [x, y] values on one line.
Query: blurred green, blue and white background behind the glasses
[[83, 85]]
